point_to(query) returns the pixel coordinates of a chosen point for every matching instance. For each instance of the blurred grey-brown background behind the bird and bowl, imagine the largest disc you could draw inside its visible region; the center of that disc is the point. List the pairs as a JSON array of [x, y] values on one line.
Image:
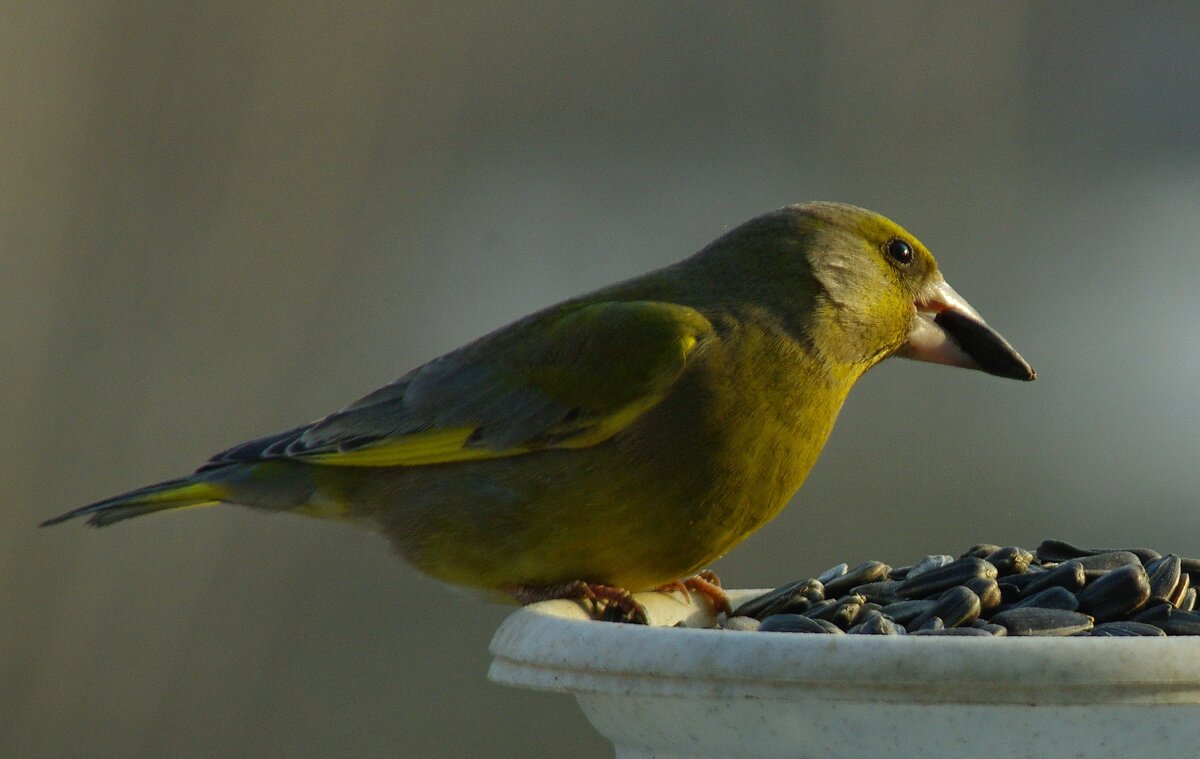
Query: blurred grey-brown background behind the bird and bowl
[[220, 220]]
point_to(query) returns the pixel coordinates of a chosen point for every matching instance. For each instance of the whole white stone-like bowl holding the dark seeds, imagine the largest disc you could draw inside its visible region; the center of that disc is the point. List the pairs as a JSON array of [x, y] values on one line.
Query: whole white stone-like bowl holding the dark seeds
[[665, 691]]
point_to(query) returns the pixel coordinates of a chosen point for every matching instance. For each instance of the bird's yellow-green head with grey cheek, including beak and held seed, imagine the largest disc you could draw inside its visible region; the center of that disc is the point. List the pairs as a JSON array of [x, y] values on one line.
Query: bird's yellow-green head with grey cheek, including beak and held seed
[[879, 294]]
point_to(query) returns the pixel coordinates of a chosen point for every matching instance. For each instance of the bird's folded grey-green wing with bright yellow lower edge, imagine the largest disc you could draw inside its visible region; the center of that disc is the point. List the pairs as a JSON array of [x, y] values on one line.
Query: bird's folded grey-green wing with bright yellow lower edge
[[568, 379]]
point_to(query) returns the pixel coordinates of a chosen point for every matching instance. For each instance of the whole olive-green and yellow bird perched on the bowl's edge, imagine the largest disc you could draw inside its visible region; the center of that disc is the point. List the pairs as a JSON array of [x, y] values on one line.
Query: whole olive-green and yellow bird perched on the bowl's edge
[[622, 440]]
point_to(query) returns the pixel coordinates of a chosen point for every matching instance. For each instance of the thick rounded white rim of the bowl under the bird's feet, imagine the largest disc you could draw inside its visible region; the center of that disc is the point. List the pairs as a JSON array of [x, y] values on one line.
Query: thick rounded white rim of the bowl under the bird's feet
[[554, 646]]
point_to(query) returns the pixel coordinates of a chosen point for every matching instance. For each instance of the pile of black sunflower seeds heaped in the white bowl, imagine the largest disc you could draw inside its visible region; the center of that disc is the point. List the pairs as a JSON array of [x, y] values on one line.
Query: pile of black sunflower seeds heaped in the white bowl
[[991, 590]]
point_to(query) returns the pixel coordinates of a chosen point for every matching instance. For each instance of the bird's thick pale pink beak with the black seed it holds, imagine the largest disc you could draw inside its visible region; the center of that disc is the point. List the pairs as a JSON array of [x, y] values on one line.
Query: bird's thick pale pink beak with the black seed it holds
[[949, 331]]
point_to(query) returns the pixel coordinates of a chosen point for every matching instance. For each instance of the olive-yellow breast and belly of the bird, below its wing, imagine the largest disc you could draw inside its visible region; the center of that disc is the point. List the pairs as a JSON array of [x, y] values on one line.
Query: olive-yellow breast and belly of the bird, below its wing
[[661, 500]]
